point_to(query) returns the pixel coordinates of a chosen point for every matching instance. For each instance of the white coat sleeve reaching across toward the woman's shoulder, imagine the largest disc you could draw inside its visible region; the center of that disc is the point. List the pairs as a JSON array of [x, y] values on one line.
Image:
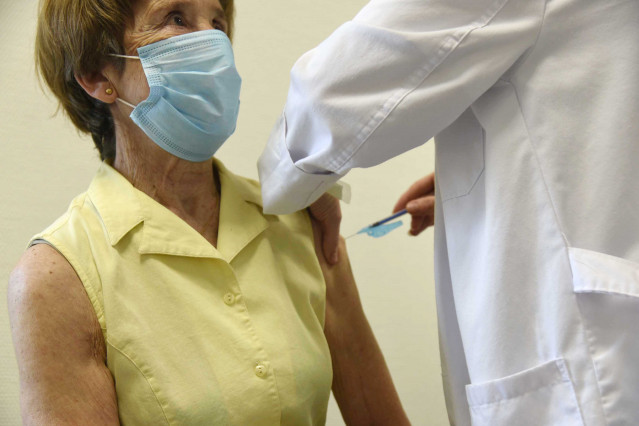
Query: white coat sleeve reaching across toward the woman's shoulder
[[386, 82]]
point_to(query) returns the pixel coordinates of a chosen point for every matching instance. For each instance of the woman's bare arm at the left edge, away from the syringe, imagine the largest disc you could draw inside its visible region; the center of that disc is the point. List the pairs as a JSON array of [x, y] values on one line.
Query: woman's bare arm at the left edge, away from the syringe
[[59, 345]]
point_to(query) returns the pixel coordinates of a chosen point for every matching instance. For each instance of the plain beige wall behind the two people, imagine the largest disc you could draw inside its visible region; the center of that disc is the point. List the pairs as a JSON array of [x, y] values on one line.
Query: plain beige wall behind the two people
[[44, 163]]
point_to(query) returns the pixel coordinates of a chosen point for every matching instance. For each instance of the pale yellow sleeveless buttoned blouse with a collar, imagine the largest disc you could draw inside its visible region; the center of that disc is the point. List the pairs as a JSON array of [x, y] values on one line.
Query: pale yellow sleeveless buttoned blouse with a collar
[[198, 335]]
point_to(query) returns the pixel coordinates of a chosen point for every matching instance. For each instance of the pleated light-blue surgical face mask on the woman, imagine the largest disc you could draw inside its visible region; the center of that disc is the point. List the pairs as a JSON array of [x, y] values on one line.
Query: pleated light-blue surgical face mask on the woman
[[195, 89]]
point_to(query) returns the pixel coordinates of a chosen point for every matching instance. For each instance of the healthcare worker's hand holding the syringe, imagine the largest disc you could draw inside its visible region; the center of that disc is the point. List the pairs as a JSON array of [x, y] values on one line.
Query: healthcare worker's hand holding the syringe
[[419, 201]]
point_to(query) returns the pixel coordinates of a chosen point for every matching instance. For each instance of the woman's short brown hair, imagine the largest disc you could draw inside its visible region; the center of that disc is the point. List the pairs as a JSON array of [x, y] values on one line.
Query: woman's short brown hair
[[75, 37]]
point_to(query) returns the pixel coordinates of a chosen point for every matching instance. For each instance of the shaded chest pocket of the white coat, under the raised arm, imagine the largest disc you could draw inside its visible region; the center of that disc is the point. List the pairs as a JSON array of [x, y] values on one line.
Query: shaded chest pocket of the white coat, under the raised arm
[[460, 156]]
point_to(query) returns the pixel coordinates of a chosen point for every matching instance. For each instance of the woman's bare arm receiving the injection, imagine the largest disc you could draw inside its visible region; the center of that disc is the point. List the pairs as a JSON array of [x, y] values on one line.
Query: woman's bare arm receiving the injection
[[362, 384]]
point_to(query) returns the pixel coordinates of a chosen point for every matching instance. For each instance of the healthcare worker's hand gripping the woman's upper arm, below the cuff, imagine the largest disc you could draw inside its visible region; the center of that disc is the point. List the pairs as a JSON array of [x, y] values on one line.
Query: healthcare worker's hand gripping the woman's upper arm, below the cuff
[[327, 212]]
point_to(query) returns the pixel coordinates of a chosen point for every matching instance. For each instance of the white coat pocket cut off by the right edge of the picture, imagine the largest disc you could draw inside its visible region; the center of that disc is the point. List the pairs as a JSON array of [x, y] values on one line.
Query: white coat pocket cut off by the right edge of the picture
[[607, 290]]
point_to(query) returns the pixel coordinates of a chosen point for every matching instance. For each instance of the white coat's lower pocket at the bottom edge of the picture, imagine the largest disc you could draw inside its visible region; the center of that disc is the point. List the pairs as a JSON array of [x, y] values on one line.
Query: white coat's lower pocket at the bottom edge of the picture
[[541, 396]]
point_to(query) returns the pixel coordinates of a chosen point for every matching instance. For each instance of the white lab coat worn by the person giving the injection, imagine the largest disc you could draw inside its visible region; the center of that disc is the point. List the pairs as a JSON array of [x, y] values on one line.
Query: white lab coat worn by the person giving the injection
[[534, 105]]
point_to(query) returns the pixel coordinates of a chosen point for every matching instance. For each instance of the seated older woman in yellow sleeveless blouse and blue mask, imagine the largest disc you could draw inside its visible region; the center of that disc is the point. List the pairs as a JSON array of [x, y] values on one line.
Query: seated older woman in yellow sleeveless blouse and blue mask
[[164, 295]]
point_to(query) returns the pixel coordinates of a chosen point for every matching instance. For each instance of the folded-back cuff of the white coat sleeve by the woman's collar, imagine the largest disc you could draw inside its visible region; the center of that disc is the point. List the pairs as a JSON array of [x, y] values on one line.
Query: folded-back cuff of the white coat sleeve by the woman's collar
[[285, 187]]
